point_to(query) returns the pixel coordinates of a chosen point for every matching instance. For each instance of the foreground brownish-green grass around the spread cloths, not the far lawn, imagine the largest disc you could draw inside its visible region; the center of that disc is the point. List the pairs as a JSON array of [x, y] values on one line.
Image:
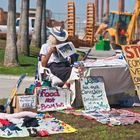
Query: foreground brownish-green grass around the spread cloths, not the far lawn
[[91, 130]]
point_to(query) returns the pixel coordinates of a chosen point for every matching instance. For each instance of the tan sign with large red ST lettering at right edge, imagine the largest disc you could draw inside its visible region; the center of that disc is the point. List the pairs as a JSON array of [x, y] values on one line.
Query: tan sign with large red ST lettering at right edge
[[132, 55]]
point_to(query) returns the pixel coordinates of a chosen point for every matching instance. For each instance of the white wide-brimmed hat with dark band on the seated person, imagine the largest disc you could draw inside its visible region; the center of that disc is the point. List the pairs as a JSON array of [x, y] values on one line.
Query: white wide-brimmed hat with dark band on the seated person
[[59, 33]]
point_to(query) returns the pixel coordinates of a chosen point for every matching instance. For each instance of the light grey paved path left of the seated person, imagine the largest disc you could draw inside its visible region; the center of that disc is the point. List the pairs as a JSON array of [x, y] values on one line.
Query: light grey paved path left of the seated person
[[8, 82]]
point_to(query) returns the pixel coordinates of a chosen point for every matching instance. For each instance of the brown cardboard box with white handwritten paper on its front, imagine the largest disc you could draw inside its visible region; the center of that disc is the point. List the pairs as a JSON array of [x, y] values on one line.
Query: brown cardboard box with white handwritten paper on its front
[[23, 102]]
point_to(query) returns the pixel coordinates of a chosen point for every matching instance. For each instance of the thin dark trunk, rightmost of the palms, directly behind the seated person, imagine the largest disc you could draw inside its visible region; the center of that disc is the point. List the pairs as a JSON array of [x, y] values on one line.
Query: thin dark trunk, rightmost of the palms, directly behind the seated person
[[43, 28]]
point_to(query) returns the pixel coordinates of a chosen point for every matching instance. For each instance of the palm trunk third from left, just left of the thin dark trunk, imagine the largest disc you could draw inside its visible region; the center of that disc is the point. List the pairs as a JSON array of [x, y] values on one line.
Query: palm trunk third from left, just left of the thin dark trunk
[[36, 37]]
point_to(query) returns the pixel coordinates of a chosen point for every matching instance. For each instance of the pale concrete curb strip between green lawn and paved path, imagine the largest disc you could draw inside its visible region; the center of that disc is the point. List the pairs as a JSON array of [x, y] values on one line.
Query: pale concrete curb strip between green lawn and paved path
[[28, 78]]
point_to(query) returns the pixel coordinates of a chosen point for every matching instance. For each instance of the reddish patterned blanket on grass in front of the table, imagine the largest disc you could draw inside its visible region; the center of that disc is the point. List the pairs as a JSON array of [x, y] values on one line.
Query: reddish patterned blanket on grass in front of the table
[[113, 117]]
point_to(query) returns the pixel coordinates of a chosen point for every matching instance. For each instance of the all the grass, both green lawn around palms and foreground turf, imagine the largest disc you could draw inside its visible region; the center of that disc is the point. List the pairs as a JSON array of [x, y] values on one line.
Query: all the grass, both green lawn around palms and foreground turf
[[86, 129]]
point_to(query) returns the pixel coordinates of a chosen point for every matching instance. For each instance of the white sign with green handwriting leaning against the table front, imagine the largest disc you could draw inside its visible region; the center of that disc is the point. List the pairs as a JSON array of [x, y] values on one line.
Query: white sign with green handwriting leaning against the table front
[[93, 94]]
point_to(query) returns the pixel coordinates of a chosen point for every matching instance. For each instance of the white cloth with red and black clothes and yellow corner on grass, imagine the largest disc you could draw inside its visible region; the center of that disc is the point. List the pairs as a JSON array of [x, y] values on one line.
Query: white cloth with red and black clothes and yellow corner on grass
[[31, 124]]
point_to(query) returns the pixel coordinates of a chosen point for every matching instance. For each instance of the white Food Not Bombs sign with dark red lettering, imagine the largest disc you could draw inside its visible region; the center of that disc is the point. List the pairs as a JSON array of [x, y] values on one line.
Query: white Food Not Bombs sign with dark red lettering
[[53, 99]]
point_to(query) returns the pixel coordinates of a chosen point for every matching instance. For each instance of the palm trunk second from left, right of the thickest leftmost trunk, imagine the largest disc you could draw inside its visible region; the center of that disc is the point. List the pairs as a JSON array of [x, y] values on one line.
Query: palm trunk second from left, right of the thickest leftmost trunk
[[23, 35]]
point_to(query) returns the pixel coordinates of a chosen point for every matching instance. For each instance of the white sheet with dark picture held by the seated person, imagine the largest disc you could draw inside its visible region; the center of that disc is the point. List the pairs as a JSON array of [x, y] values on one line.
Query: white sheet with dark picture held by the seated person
[[66, 49]]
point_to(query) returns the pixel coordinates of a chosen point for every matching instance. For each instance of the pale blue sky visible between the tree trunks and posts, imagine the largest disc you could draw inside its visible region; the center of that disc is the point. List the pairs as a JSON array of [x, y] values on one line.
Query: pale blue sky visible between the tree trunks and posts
[[60, 6]]
